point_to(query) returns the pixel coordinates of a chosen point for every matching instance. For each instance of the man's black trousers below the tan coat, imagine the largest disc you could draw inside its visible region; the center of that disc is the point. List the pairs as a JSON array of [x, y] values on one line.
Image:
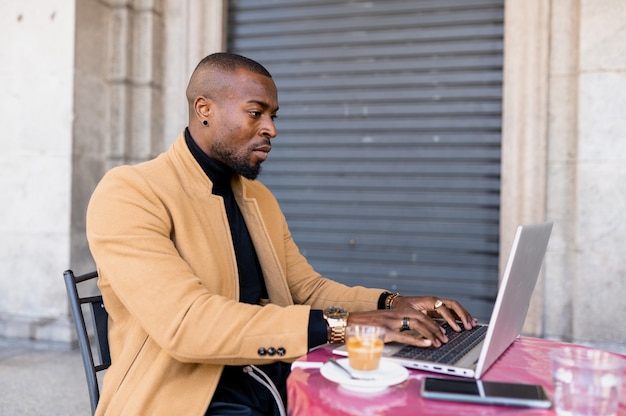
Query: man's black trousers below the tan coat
[[239, 394]]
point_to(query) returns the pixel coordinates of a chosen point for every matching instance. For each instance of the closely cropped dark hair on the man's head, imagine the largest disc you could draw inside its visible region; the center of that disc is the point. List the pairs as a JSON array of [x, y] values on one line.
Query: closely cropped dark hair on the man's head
[[208, 79]]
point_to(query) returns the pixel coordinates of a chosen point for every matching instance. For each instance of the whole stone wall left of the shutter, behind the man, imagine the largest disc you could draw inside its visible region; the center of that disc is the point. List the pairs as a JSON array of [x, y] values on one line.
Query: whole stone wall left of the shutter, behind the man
[[87, 86]]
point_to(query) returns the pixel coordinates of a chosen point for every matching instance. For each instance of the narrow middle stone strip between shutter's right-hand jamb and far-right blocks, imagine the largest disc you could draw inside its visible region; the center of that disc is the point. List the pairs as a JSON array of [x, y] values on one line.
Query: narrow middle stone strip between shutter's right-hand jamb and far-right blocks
[[560, 264]]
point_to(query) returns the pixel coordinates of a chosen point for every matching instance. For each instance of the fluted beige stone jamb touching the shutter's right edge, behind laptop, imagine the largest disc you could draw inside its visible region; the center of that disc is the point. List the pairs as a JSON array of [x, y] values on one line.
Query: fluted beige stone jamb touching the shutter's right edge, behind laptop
[[524, 128]]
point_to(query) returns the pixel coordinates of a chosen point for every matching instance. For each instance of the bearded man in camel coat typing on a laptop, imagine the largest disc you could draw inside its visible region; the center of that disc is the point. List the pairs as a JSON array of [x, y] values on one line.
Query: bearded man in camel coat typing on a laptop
[[206, 291]]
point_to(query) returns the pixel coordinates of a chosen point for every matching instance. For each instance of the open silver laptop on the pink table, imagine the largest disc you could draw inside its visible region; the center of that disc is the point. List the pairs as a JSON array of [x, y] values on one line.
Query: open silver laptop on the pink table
[[471, 353]]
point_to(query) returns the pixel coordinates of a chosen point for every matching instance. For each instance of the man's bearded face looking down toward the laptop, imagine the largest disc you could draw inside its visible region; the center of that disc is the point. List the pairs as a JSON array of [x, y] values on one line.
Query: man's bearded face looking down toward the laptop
[[242, 123]]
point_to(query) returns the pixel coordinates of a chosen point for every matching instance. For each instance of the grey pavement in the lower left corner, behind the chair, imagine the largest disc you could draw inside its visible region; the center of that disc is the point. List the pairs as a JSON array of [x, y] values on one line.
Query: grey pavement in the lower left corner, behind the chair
[[36, 380]]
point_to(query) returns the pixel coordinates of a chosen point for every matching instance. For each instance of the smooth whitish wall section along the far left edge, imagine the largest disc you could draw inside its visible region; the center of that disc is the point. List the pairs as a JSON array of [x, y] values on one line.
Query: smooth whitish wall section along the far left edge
[[36, 113]]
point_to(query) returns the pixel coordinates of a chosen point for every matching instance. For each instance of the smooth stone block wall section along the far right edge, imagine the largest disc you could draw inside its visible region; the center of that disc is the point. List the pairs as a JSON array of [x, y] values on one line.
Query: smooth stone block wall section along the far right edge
[[600, 283]]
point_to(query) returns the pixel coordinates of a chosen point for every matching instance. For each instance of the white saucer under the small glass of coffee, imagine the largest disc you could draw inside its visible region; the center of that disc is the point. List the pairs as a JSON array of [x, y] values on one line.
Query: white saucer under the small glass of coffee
[[388, 374]]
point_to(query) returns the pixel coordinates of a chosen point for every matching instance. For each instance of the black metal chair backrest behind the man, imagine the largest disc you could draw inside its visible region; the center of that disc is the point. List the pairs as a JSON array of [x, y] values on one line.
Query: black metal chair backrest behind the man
[[100, 317]]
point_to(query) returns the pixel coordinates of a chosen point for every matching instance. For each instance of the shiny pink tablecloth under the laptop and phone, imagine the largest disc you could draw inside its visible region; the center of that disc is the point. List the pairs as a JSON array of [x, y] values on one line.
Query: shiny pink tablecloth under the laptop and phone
[[526, 361]]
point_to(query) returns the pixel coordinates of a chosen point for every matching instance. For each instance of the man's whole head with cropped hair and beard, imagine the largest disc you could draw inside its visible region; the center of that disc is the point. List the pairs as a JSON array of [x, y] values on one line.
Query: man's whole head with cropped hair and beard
[[233, 102]]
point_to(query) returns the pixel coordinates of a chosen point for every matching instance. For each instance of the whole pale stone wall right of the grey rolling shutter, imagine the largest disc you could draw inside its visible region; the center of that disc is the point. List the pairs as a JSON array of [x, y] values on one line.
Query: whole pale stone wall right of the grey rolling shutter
[[564, 154]]
